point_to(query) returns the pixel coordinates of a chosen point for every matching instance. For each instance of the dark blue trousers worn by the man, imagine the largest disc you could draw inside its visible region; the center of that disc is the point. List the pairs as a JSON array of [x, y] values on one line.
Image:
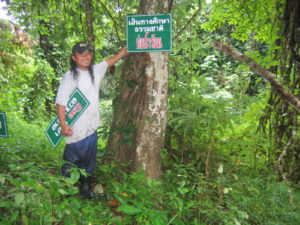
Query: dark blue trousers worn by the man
[[82, 154]]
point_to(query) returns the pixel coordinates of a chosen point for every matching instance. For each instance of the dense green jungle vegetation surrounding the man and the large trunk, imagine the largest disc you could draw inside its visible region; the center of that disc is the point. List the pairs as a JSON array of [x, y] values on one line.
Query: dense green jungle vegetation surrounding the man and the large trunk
[[231, 149]]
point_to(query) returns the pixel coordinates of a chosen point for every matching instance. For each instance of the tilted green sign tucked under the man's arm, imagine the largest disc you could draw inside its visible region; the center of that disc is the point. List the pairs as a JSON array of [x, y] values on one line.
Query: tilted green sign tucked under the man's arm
[[76, 106]]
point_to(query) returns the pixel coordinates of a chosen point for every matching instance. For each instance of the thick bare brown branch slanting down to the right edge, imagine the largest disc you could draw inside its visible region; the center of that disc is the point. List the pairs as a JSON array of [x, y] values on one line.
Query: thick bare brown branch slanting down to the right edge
[[286, 94]]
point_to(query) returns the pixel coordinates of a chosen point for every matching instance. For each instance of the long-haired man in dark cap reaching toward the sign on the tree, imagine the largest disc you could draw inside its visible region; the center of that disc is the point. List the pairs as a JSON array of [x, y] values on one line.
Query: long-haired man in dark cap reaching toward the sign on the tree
[[81, 147]]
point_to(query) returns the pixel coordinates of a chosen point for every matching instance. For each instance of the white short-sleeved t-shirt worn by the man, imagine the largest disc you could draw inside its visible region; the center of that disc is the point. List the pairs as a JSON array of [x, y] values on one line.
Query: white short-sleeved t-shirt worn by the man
[[89, 121]]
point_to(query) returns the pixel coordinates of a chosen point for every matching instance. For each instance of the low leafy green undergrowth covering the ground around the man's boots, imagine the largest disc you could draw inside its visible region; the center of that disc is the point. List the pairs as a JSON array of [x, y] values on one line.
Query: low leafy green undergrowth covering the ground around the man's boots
[[33, 192]]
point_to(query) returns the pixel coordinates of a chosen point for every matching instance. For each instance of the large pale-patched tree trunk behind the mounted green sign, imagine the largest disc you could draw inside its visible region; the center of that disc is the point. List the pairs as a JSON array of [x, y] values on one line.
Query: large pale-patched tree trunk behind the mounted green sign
[[140, 113]]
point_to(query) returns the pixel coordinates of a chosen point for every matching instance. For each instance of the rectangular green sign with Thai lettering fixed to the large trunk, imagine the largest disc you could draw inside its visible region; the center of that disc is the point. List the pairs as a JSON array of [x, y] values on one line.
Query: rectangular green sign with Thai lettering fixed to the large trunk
[[149, 33]]
